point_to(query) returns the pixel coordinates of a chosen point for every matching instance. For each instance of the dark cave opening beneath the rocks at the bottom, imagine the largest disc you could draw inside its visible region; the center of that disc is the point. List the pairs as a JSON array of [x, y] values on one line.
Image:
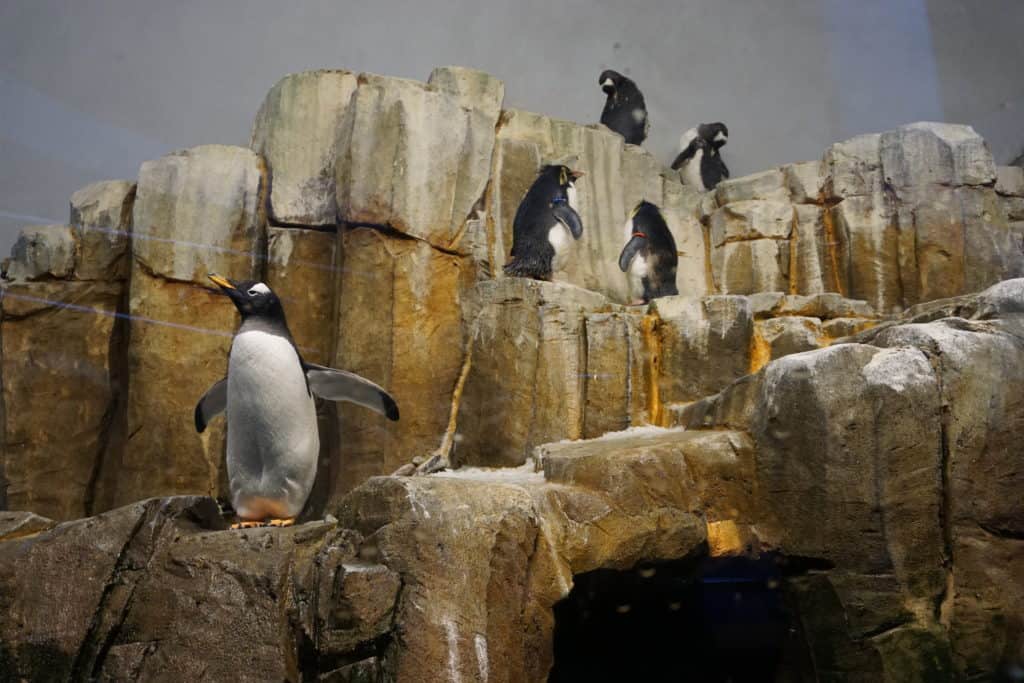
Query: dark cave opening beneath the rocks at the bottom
[[726, 619]]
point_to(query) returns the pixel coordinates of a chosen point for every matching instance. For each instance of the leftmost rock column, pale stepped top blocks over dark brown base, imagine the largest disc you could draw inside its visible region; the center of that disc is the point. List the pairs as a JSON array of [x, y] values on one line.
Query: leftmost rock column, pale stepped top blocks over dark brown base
[[63, 352]]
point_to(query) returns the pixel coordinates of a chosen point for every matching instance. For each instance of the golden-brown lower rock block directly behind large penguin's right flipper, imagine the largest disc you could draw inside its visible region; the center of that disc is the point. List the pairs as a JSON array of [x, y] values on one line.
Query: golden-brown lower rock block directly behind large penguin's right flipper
[[400, 324]]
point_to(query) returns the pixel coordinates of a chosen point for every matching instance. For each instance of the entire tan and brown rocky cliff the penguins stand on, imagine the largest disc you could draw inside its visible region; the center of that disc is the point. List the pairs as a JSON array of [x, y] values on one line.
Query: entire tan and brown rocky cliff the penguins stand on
[[826, 391]]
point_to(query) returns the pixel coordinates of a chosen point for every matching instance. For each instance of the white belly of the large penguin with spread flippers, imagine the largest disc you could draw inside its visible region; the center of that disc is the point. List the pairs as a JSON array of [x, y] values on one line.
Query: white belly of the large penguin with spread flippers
[[273, 441]]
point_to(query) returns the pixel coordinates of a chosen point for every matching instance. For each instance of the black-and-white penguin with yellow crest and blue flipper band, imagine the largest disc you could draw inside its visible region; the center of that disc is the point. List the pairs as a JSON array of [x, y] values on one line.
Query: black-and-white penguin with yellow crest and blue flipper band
[[545, 225]]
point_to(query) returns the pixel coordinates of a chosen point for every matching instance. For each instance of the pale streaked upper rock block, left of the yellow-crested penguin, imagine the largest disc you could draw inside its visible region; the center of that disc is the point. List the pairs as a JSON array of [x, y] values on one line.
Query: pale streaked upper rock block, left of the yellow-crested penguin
[[414, 158]]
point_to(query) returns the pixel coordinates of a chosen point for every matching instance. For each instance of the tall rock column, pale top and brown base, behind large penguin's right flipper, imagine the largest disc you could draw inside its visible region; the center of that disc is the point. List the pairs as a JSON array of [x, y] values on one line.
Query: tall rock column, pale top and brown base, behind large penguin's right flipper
[[413, 166]]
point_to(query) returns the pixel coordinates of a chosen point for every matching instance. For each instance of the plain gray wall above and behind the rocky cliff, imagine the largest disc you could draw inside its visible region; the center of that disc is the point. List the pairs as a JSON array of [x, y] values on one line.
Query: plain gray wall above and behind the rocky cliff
[[92, 89]]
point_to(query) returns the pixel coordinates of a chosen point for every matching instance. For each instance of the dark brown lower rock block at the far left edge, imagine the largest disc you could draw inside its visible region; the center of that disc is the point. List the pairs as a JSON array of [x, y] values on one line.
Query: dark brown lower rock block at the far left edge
[[59, 345]]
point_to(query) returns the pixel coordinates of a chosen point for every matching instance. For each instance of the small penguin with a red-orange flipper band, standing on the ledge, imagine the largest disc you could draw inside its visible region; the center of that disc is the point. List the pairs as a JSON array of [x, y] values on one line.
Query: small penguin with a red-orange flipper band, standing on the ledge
[[650, 258]]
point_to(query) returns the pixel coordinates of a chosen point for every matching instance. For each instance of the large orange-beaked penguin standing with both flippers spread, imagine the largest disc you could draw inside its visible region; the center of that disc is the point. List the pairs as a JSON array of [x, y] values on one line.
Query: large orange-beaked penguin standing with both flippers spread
[[273, 442]]
